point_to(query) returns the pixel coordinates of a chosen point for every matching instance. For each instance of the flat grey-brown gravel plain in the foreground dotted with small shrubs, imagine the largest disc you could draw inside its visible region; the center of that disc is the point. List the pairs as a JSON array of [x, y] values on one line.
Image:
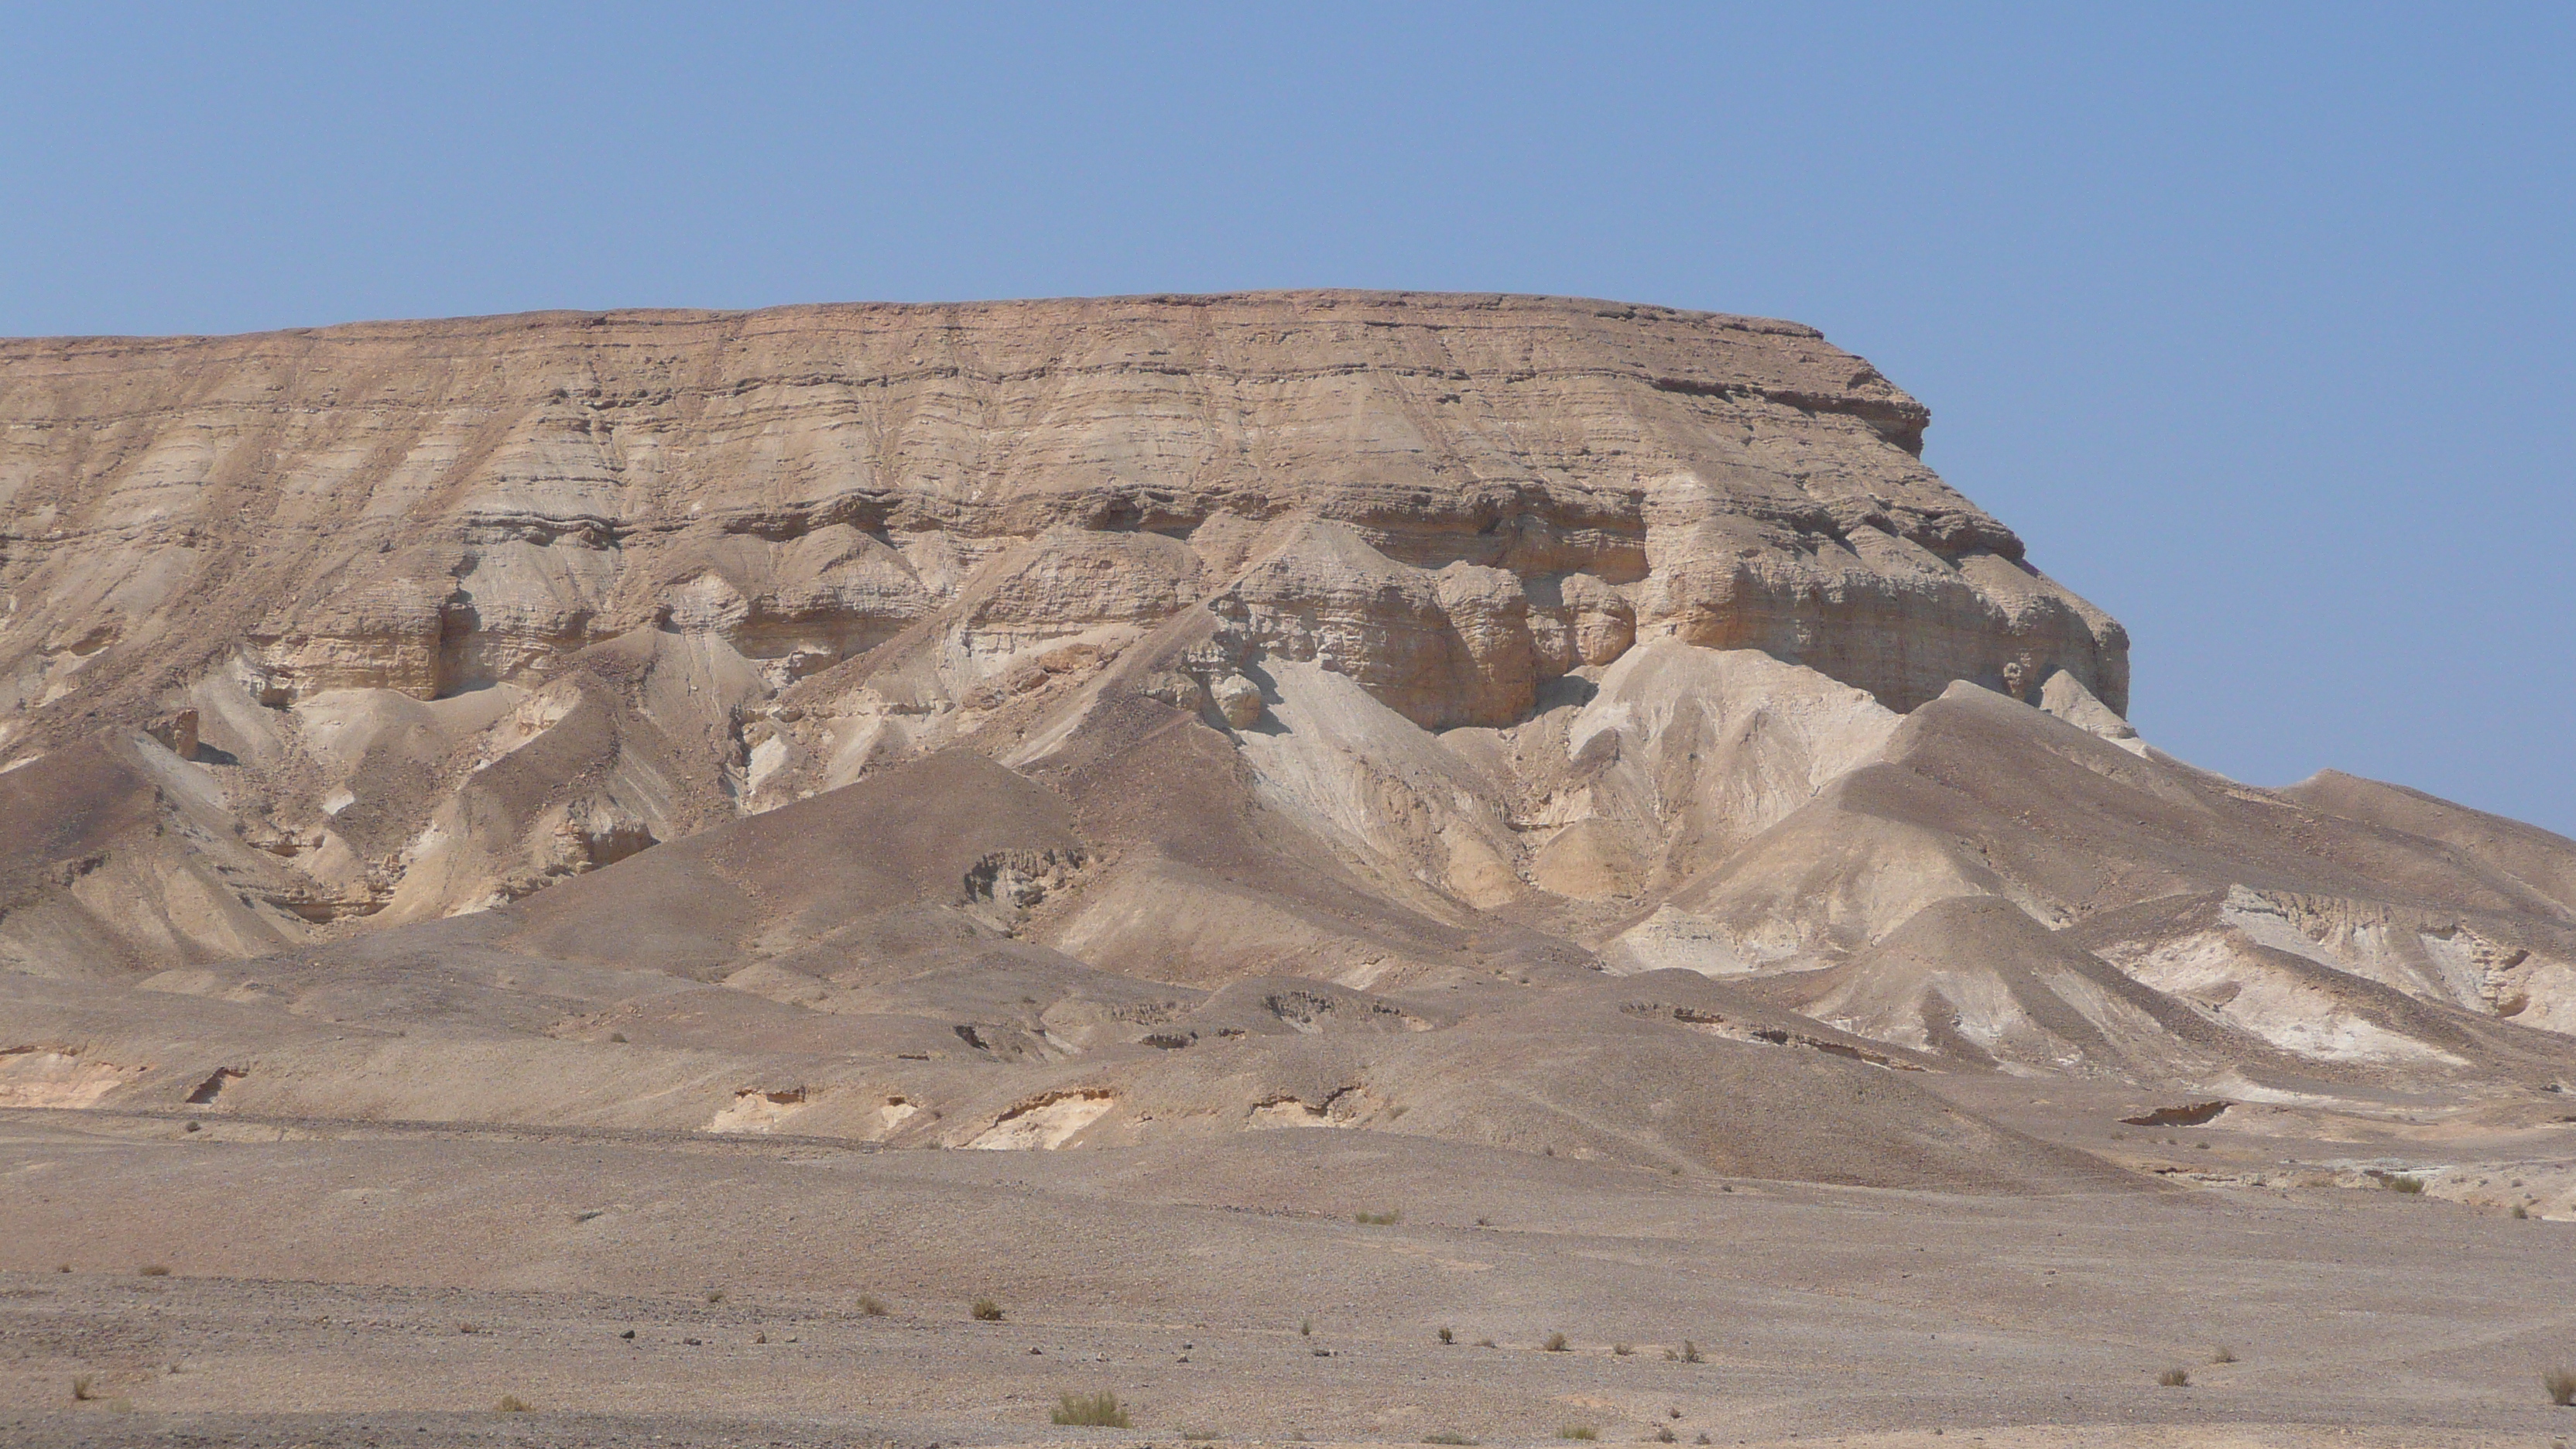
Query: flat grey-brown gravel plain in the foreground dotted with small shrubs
[[375, 1285]]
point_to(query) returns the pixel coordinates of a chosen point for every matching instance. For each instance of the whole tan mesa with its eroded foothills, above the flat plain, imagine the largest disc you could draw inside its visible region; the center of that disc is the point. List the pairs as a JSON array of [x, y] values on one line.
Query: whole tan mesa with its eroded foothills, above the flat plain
[[954, 723]]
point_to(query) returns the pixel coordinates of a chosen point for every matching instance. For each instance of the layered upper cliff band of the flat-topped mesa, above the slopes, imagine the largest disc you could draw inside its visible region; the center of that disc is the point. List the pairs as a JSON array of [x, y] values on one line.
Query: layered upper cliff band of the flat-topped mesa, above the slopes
[[1449, 499]]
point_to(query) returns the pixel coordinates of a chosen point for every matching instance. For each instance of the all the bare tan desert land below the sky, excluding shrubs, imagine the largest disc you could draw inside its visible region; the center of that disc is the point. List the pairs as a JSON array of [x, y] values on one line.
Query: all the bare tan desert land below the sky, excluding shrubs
[[537, 821]]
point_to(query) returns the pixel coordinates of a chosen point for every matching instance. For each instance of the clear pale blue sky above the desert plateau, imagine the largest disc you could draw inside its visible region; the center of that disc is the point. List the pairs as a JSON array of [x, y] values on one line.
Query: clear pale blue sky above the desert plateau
[[2255, 321]]
